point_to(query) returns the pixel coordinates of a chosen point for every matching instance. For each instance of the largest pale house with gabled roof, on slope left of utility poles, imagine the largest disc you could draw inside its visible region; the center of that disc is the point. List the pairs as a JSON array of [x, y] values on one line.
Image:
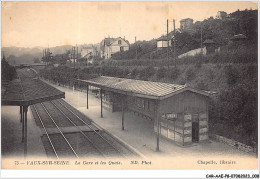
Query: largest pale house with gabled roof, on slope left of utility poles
[[109, 46]]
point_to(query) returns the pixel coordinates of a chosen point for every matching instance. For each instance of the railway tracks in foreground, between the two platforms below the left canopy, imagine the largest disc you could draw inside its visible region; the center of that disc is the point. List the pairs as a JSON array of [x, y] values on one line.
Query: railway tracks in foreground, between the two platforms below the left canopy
[[77, 143]]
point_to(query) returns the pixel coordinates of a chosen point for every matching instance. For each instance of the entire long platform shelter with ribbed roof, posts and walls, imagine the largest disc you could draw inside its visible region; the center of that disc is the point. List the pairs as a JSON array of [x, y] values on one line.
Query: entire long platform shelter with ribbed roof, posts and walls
[[179, 113]]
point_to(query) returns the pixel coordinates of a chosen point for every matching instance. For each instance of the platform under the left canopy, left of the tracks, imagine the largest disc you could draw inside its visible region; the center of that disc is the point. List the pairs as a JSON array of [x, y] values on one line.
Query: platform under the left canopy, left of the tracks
[[13, 146]]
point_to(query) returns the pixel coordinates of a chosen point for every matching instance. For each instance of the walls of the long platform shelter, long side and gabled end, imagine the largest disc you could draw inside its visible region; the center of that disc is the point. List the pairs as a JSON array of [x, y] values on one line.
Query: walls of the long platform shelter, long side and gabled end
[[187, 108]]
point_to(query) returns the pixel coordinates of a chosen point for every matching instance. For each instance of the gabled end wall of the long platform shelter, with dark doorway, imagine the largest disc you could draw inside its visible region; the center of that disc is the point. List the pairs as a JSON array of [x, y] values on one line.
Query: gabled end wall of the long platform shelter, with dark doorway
[[187, 107]]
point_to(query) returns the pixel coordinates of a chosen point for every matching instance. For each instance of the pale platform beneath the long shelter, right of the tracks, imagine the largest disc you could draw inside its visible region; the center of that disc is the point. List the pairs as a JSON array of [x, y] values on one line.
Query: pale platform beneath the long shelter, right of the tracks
[[139, 134]]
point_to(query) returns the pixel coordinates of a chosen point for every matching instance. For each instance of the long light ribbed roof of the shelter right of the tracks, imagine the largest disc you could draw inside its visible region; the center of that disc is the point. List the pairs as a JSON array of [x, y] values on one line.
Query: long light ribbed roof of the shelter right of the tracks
[[147, 89]]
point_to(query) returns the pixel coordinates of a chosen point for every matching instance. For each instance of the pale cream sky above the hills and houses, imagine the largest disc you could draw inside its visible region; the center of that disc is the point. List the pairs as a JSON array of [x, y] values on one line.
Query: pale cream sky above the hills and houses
[[31, 24]]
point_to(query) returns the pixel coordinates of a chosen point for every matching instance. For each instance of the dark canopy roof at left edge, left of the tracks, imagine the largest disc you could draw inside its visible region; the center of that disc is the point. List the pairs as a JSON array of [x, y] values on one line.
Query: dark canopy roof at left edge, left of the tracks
[[28, 91]]
